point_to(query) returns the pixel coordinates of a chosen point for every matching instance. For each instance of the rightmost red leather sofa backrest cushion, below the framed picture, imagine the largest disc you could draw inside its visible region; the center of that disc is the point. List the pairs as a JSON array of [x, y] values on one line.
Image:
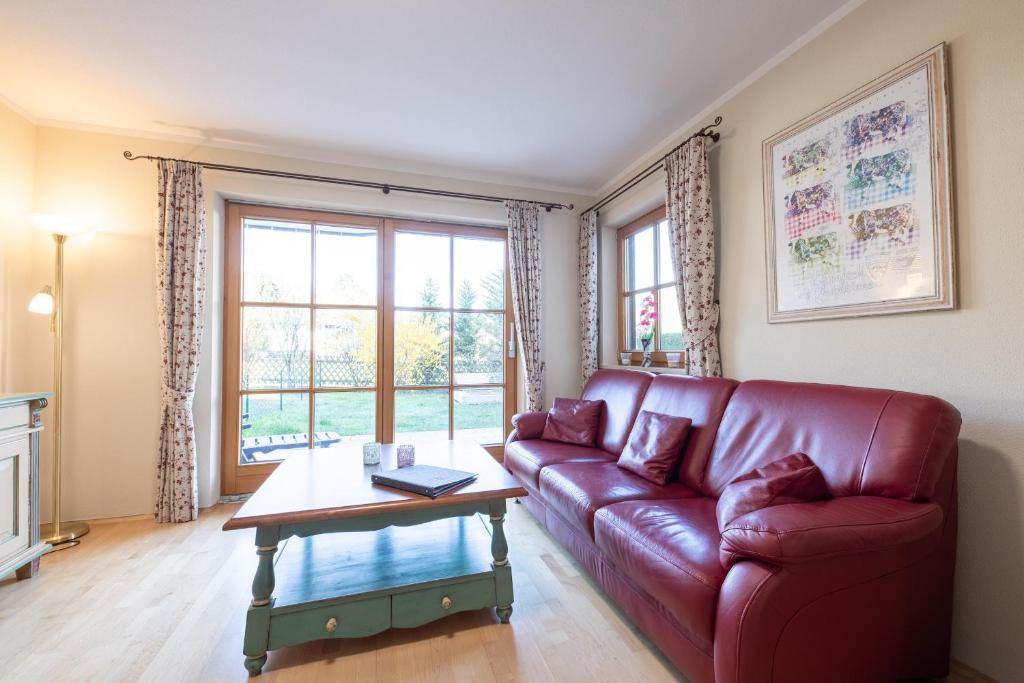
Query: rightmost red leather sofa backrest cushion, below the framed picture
[[866, 442]]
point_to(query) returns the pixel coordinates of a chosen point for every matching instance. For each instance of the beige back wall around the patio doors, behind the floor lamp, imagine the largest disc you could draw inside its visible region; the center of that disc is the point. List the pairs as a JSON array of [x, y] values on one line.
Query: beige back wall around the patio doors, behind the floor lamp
[[112, 381]]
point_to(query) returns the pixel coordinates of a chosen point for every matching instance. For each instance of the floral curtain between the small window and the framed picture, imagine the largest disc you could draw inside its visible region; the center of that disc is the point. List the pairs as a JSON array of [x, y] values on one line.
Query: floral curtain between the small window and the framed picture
[[692, 233]]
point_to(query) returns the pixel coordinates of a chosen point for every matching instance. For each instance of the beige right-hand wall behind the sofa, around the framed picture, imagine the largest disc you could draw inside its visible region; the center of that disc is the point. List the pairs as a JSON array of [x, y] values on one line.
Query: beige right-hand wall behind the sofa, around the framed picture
[[972, 357]]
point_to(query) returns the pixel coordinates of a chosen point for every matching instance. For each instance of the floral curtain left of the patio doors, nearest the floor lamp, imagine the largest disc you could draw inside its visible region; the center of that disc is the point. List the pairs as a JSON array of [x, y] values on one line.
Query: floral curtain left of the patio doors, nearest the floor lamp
[[181, 295]]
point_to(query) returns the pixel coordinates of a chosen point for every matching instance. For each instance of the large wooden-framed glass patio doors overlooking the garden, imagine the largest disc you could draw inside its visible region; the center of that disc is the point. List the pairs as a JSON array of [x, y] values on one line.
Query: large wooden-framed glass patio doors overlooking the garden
[[350, 329]]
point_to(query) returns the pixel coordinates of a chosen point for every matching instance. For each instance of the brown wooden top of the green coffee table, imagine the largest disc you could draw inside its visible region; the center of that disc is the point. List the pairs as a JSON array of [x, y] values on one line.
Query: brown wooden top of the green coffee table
[[315, 485]]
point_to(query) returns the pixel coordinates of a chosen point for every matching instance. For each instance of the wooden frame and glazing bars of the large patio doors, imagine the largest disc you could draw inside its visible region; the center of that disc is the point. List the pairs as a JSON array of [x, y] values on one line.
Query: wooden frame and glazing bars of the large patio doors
[[240, 479]]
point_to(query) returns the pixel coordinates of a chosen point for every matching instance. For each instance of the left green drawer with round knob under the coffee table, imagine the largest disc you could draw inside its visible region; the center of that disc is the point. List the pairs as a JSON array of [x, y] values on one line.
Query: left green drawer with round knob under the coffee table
[[348, 620]]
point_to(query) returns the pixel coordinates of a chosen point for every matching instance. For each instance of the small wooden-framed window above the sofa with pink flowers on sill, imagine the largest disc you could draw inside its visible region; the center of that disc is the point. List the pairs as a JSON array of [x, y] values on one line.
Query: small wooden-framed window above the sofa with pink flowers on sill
[[646, 276]]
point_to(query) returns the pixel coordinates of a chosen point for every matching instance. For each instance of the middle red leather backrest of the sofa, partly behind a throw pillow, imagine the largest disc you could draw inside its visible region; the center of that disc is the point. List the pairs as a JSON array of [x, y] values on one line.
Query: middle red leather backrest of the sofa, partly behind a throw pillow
[[704, 401]]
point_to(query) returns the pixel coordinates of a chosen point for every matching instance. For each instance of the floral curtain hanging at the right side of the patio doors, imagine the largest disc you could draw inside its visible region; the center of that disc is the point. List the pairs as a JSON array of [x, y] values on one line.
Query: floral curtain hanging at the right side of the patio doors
[[525, 274]]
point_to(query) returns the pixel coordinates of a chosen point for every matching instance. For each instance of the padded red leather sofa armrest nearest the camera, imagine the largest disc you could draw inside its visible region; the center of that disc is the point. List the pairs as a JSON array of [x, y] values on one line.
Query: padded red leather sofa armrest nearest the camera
[[800, 533]]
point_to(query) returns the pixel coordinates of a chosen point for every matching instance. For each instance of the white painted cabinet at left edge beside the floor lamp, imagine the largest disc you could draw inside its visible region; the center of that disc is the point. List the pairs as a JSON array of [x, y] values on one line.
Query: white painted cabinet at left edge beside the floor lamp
[[21, 424]]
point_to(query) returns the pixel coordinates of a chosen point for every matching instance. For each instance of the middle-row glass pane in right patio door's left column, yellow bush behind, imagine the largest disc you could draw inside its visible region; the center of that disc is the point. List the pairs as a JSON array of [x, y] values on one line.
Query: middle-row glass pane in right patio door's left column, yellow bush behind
[[421, 349]]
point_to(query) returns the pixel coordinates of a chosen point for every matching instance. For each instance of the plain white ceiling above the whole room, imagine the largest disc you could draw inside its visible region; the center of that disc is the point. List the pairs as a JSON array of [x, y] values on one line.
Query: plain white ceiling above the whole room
[[557, 94]]
